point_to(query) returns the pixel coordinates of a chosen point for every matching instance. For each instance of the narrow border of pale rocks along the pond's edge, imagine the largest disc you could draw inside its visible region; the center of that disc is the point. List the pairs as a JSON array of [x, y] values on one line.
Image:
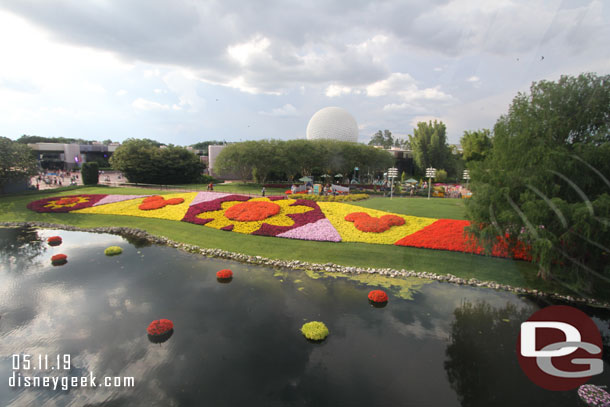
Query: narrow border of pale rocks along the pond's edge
[[302, 265]]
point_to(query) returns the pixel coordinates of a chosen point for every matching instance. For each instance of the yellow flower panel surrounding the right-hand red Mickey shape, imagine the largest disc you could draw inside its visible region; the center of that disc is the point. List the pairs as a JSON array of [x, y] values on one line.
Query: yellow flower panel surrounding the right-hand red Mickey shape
[[336, 212]]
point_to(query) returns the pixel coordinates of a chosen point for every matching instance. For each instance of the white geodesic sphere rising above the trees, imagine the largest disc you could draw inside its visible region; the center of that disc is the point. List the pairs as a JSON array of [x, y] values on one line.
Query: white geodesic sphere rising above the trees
[[333, 123]]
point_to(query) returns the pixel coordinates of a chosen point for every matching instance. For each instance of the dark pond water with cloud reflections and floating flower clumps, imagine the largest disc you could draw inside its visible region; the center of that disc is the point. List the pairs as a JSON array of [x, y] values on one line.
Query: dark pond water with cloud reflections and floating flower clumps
[[237, 344]]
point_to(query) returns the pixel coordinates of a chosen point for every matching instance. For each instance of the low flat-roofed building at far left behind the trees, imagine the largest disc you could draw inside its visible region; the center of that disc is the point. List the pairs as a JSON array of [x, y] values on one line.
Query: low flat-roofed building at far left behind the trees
[[57, 156]]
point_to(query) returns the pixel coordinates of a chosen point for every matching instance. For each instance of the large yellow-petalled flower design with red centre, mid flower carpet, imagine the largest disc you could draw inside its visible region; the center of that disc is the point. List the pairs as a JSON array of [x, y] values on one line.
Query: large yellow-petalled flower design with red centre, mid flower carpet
[[273, 213]]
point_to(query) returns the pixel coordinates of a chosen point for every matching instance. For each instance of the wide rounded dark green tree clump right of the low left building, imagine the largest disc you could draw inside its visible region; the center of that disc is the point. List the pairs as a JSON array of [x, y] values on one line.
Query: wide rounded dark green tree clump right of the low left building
[[145, 162]]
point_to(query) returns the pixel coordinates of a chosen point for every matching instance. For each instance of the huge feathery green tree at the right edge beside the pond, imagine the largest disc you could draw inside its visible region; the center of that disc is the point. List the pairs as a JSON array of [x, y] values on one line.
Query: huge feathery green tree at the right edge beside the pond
[[545, 180]]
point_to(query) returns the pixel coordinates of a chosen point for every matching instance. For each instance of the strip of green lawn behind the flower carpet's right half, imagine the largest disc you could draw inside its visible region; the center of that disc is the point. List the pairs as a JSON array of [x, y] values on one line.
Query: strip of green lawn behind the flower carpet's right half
[[434, 207]]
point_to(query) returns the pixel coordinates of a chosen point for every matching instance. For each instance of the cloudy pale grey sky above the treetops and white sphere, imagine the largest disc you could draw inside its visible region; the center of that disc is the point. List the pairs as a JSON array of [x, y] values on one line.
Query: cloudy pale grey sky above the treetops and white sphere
[[184, 71]]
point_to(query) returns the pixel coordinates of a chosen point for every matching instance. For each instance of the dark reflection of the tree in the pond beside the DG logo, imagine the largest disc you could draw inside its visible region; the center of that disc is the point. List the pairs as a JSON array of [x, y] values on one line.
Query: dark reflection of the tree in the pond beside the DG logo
[[482, 364]]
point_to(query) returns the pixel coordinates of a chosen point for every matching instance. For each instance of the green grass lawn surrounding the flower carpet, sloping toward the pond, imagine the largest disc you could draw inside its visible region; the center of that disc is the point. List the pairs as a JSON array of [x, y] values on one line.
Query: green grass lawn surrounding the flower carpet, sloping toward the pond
[[516, 273]]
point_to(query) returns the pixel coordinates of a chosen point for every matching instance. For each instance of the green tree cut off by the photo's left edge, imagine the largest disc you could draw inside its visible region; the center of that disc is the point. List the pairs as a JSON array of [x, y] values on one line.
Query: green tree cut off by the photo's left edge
[[17, 162]]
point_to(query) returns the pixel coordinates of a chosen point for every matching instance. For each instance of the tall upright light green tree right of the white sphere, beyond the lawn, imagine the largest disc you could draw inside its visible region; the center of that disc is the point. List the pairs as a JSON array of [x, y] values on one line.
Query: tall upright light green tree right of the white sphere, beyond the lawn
[[430, 148]]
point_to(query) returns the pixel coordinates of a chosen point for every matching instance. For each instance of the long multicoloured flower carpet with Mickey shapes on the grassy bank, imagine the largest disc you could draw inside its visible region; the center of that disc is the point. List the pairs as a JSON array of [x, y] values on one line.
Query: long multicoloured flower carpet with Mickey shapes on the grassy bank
[[288, 218]]
